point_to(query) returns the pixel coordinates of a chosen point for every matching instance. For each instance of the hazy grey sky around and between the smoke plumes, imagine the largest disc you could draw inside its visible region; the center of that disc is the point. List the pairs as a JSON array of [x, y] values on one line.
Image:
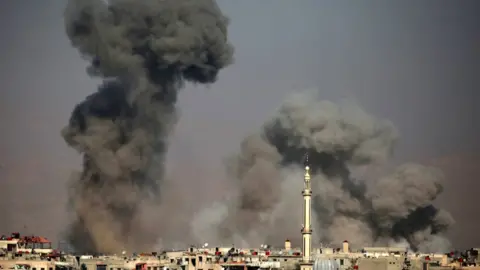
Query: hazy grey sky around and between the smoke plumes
[[416, 63]]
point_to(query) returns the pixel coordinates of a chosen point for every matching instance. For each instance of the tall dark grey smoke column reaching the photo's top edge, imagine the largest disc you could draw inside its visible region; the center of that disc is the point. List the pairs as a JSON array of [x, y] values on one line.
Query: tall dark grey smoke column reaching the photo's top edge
[[144, 51]]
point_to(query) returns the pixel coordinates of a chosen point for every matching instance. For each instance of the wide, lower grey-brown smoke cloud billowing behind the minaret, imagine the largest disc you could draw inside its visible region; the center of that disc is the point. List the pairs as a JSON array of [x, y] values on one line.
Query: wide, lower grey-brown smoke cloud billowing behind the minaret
[[343, 144]]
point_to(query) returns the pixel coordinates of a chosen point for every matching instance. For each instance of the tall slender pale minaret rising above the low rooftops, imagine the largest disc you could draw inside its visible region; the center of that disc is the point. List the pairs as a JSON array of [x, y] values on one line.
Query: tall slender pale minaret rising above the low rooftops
[[307, 263]]
